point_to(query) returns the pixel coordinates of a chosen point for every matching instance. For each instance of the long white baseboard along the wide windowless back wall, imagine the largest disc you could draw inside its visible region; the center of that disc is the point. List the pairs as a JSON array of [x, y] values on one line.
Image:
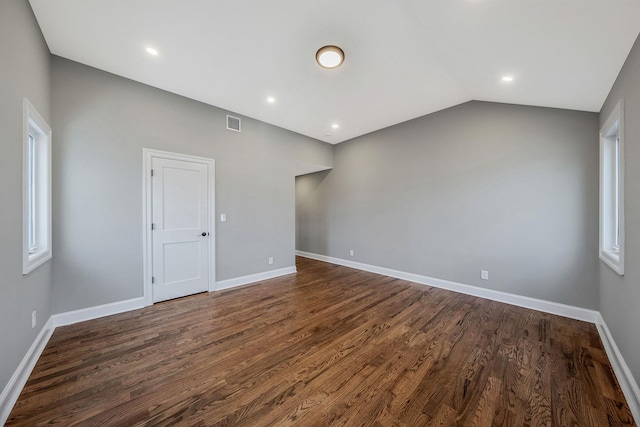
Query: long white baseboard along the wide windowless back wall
[[584, 314]]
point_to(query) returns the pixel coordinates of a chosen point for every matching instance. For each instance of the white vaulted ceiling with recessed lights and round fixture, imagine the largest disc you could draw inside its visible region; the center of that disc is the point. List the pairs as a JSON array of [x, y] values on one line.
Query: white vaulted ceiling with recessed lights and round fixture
[[404, 58]]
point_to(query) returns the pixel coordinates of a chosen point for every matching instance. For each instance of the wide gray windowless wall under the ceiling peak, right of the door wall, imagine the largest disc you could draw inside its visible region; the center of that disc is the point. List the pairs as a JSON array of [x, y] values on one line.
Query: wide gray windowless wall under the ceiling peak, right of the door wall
[[509, 189]]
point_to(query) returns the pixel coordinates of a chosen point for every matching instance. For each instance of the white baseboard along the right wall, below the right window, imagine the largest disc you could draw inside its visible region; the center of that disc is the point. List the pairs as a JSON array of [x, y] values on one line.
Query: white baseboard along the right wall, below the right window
[[627, 383]]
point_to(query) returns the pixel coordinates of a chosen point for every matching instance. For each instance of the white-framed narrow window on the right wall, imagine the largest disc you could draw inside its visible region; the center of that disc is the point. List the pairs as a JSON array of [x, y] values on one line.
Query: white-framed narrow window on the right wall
[[611, 246]]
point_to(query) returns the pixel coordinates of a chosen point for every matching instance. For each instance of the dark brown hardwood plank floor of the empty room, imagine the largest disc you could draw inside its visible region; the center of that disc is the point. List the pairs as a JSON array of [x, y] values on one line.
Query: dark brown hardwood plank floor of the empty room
[[326, 346]]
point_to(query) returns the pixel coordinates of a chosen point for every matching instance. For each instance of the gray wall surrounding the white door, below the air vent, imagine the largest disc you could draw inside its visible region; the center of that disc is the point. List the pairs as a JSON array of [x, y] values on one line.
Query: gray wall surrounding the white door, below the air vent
[[101, 123]]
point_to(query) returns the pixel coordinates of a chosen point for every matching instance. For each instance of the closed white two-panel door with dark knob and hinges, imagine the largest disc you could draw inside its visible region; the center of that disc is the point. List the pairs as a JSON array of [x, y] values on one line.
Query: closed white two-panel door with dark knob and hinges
[[180, 230]]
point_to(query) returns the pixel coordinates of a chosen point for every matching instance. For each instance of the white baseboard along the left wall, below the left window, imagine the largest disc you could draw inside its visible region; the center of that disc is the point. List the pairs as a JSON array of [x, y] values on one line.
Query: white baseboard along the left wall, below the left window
[[12, 390]]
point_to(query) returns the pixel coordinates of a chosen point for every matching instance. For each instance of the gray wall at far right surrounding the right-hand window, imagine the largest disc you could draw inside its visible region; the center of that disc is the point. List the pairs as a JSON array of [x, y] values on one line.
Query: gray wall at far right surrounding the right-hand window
[[620, 296]]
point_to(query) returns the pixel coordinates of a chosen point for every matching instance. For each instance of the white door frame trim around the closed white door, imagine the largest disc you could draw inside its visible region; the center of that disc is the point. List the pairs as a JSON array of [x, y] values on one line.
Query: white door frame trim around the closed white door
[[147, 248]]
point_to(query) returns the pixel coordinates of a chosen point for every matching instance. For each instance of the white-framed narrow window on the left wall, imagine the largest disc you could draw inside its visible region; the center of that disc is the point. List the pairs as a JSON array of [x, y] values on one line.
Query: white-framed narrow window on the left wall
[[36, 190]]
